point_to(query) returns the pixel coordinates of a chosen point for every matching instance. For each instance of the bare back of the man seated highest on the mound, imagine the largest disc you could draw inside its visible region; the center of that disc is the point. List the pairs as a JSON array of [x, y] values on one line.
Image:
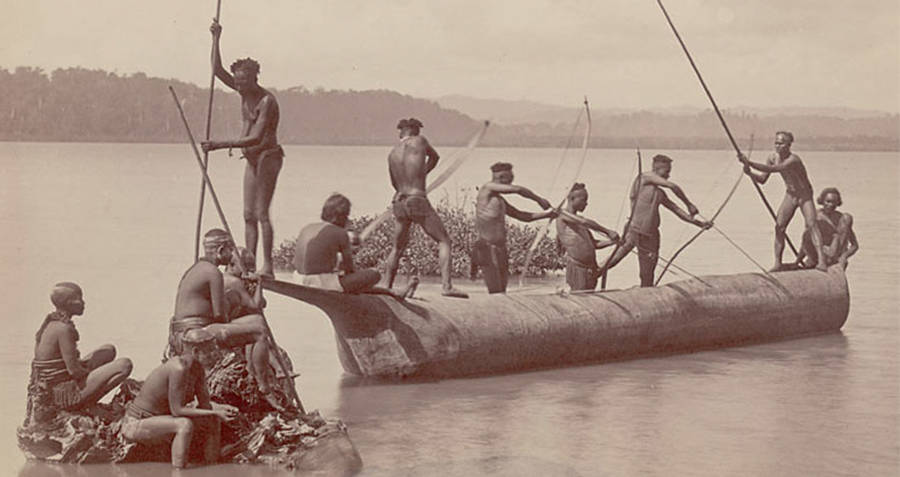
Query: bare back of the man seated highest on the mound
[[199, 288]]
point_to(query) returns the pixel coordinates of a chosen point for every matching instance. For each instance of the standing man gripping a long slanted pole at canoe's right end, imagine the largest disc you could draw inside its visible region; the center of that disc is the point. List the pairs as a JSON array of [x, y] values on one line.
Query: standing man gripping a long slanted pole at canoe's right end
[[798, 193]]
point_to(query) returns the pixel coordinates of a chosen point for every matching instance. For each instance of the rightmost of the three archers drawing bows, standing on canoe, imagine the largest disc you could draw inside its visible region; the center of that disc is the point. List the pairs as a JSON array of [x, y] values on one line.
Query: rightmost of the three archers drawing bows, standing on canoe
[[643, 229]]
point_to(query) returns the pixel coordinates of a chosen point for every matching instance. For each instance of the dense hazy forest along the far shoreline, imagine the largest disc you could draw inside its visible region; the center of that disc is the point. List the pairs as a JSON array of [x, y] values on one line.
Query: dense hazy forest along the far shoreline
[[76, 104]]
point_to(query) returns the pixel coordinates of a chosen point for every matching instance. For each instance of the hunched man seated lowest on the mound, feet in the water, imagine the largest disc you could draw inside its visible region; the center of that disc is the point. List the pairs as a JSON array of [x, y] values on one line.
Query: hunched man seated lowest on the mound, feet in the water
[[160, 413]]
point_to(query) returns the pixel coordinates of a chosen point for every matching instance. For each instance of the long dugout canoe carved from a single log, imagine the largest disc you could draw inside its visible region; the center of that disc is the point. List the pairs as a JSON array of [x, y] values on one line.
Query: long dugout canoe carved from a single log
[[444, 337]]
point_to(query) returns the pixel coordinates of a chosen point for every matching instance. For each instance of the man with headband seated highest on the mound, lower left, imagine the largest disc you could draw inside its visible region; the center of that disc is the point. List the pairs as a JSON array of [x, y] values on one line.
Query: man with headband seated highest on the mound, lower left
[[200, 303]]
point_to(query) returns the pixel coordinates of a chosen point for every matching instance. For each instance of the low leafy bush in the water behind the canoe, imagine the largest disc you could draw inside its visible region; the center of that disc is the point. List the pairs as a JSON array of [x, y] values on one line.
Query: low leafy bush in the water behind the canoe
[[421, 256]]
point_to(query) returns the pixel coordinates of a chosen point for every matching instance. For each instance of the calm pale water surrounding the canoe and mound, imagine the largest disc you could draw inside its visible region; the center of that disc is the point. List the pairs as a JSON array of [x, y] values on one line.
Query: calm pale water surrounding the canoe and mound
[[119, 219]]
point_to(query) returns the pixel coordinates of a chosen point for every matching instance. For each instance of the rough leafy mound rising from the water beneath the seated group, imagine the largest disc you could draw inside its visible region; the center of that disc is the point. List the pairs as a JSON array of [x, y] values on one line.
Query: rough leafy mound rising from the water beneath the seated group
[[259, 434]]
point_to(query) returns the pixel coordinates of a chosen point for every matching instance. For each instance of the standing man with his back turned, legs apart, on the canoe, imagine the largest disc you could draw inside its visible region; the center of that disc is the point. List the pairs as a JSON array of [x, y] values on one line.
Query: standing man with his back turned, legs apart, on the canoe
[[408, 163]]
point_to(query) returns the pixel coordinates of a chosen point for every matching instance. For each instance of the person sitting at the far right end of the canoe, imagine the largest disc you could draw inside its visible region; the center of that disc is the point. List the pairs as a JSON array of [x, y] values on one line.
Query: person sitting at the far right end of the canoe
[[836, 228]]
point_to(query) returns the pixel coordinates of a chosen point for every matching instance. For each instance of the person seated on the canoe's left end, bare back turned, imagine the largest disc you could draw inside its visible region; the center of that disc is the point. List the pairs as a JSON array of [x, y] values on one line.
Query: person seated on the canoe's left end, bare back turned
[[323, 257]]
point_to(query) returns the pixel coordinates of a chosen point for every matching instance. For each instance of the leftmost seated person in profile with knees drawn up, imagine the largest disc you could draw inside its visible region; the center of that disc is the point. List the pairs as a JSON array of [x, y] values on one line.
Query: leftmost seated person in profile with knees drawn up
[[60, 379]]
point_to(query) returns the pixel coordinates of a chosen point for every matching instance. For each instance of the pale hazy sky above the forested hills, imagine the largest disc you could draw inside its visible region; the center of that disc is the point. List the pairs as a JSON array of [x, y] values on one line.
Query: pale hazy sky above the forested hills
[[621, 53]]
